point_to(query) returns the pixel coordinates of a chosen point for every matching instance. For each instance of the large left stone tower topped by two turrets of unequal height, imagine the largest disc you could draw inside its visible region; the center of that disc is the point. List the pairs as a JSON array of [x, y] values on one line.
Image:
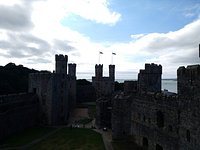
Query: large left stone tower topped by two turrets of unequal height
[[56, 91]]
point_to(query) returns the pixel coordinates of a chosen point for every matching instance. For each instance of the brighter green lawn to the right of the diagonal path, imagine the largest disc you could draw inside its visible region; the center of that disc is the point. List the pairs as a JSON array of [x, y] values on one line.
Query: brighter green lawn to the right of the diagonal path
[[72, 139]]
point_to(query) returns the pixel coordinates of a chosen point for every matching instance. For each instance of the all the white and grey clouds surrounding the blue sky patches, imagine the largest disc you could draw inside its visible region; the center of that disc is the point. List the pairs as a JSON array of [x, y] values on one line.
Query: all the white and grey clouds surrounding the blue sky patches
[[36, 47]]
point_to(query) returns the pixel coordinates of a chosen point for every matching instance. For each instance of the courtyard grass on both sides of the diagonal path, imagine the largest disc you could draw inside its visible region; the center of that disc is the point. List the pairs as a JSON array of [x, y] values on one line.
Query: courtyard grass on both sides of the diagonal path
[[63, 139]]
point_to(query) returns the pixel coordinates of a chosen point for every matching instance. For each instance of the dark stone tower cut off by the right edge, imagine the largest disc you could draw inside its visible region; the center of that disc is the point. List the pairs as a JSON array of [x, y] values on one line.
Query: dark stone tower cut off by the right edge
[[189, 96]]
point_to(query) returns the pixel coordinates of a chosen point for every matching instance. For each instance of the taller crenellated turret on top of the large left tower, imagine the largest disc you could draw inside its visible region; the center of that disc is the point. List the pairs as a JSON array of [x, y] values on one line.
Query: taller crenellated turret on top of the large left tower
[[61, 64]]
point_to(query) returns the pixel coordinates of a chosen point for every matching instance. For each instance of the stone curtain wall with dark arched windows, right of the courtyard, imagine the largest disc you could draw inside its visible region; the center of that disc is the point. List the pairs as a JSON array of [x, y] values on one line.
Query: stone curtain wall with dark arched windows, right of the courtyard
[[154, 121]]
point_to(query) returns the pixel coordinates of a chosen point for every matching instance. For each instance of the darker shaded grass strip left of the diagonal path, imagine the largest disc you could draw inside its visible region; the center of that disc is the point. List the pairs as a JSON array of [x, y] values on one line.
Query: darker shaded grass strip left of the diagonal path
[[25, 137]]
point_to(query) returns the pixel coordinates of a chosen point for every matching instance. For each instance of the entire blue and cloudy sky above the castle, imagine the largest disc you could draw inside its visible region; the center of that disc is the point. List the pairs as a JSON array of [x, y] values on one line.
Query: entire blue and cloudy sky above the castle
[[165, 32]]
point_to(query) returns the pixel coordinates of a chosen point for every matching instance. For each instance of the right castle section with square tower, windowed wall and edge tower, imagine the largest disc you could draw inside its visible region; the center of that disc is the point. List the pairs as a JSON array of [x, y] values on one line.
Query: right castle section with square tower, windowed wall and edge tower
[[157, 120]]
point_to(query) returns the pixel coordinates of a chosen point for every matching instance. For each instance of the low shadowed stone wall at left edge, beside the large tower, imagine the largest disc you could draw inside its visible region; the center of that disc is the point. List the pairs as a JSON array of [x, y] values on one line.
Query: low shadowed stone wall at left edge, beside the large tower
[[17, 112]]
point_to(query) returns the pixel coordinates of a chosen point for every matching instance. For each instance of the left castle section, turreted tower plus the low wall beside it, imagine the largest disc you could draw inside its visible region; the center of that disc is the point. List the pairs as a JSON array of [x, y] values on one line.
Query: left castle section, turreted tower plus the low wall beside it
[[50, 99]]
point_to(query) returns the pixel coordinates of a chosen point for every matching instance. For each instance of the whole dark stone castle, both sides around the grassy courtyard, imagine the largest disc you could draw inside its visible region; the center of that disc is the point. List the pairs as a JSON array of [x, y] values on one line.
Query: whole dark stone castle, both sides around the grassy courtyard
[[155, 119]]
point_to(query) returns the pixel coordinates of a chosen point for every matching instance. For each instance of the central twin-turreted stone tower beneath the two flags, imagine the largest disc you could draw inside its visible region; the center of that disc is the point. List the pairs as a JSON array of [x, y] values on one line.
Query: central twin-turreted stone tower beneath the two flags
[[104, 87]]
